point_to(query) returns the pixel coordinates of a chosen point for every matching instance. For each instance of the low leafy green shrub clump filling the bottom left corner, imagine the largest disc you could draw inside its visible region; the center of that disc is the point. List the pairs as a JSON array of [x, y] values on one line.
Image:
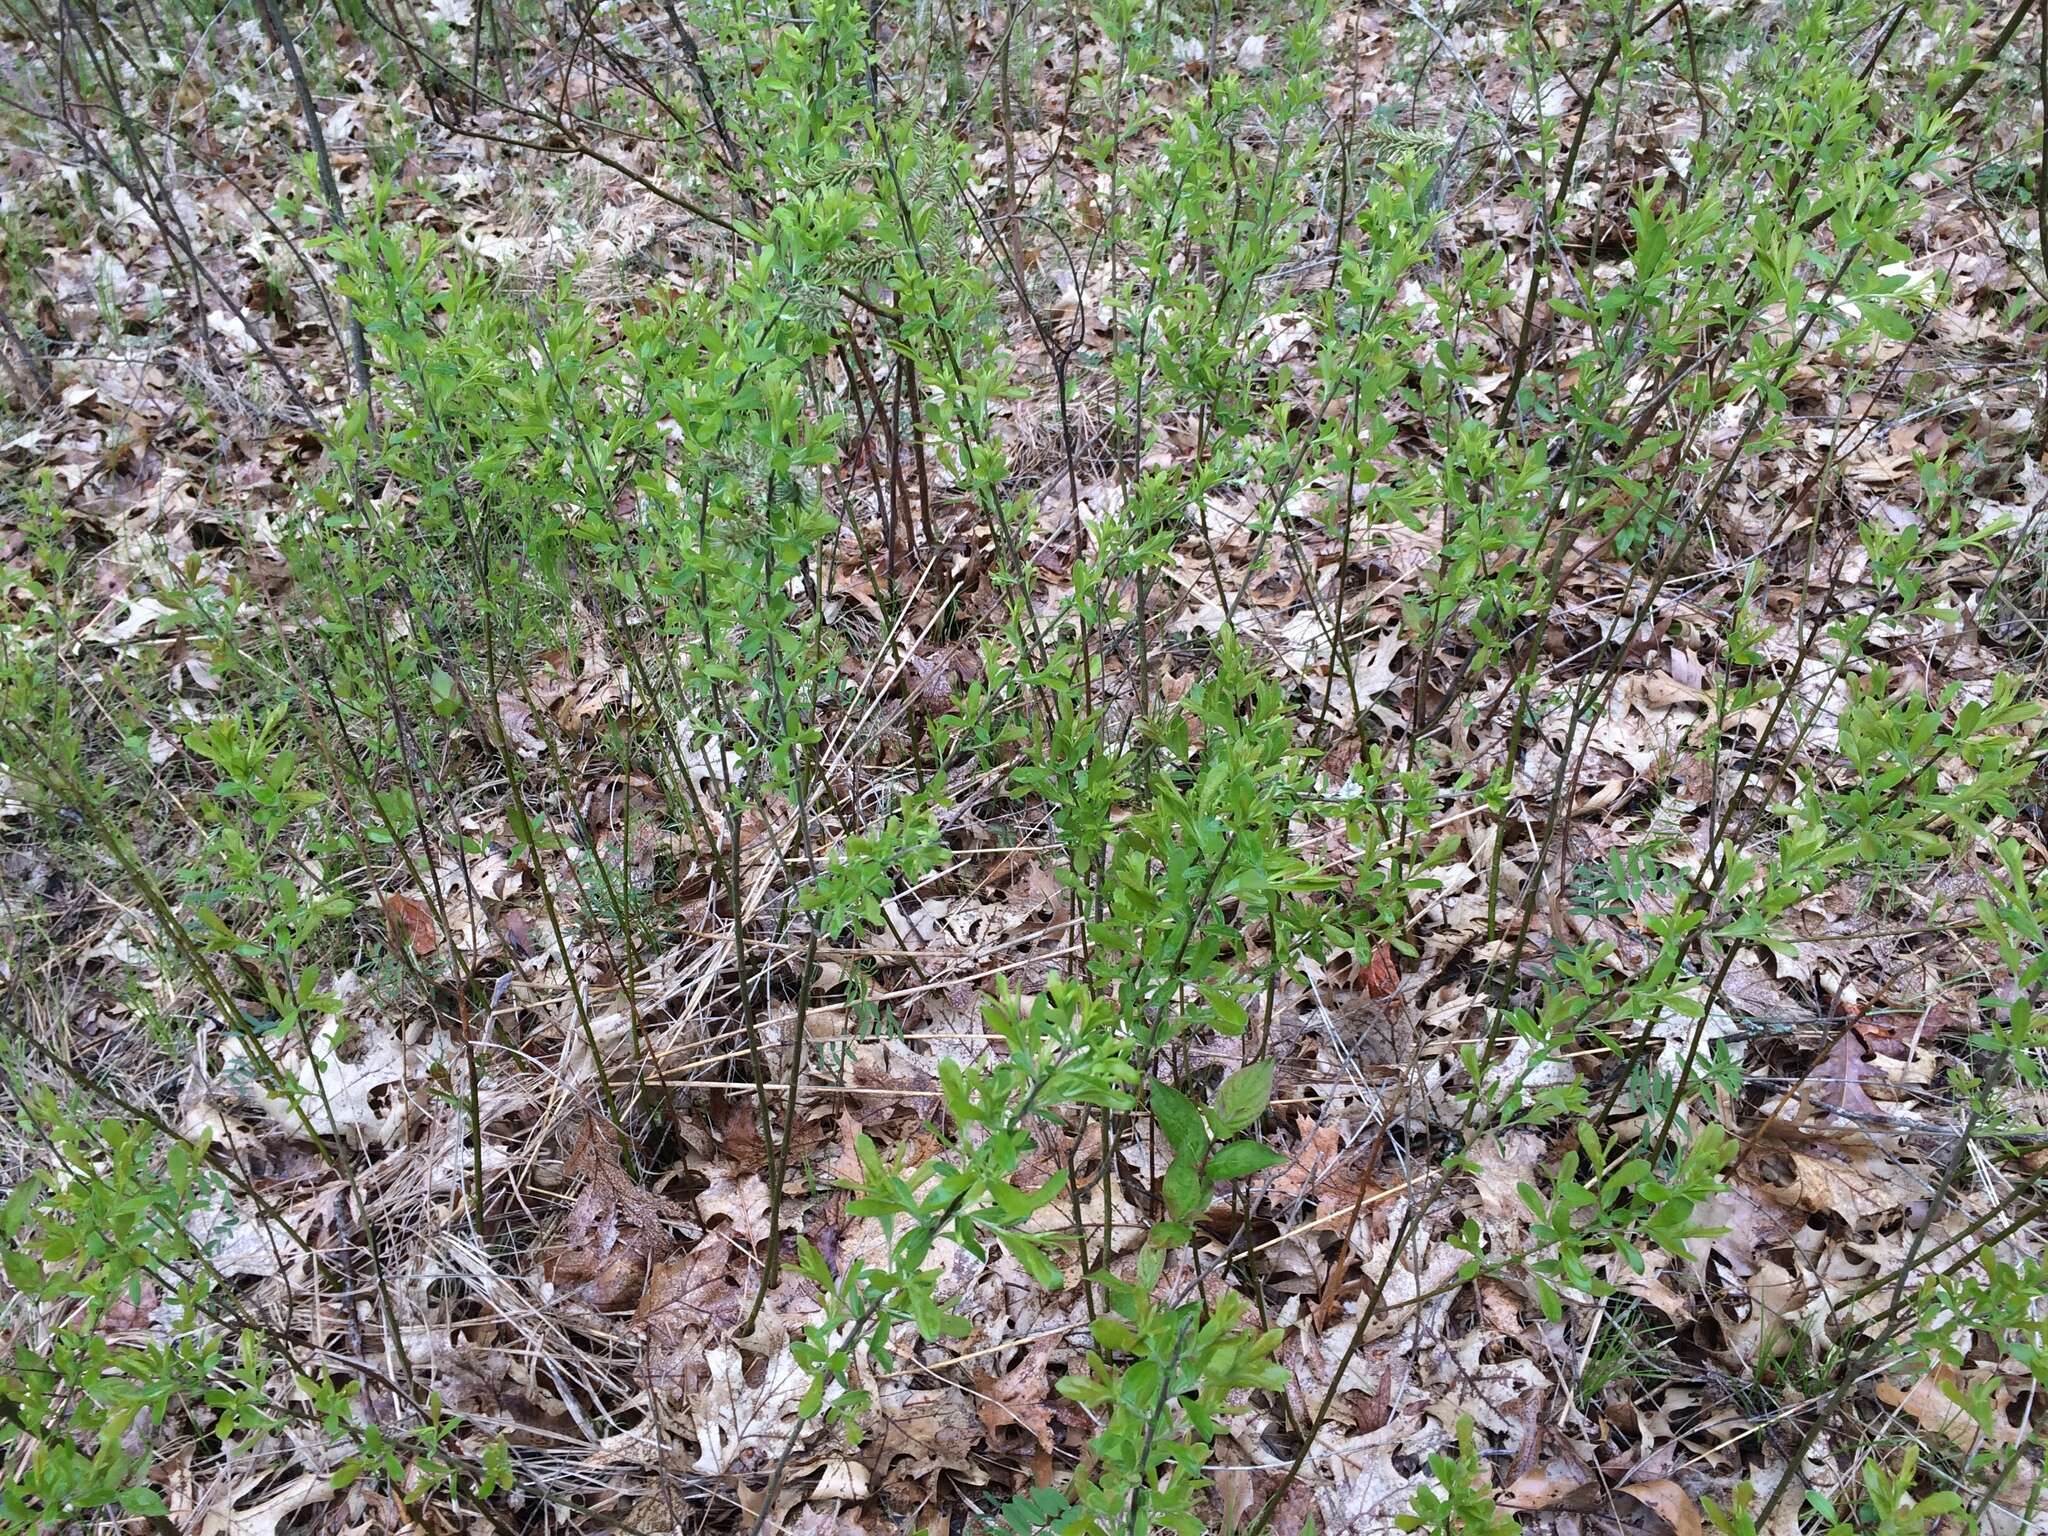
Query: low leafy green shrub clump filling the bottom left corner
[[128, 1338]]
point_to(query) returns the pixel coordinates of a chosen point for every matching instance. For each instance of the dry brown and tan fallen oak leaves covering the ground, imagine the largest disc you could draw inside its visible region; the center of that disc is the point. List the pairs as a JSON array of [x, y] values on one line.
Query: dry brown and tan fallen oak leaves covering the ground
[[630, 1289]]
